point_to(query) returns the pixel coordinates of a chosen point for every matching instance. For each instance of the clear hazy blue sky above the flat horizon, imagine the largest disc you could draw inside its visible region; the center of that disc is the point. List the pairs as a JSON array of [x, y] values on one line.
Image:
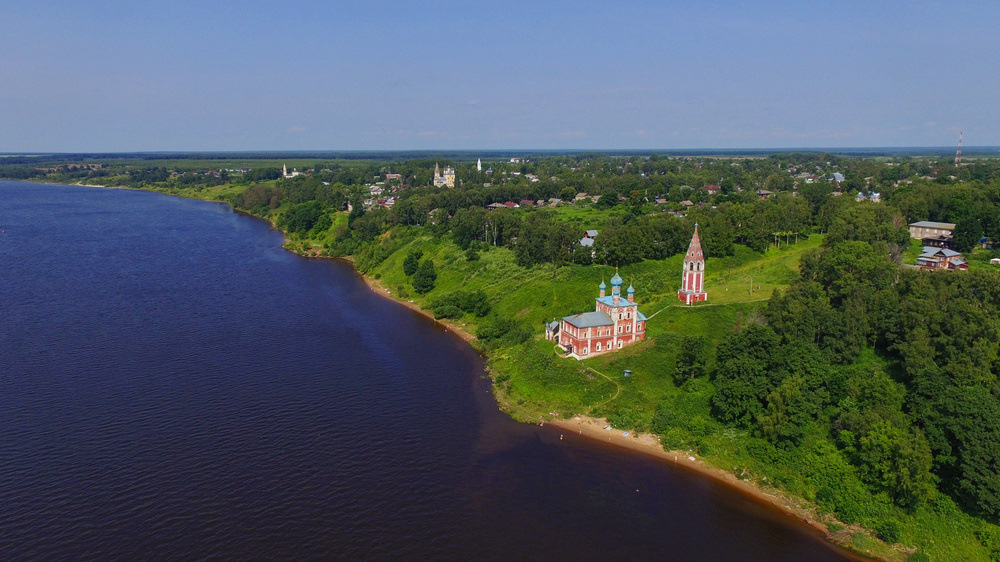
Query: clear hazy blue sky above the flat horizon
[[219, 75]]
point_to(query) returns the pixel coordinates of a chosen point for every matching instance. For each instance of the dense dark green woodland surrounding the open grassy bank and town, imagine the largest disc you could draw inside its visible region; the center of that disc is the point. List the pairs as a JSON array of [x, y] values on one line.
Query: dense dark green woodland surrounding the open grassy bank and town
[[880, 383]]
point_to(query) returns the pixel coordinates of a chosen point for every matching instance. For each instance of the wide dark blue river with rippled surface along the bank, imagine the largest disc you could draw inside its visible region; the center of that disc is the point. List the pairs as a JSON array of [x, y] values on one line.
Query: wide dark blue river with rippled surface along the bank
[[175, 385]]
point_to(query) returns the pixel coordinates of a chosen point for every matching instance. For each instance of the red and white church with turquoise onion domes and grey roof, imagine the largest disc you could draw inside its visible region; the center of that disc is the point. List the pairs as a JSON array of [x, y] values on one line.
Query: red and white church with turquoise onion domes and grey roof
[[615, 323]]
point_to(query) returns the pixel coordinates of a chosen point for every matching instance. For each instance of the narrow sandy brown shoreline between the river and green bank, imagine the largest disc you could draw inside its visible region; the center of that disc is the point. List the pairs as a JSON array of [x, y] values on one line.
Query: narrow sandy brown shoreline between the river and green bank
[[593, 428]]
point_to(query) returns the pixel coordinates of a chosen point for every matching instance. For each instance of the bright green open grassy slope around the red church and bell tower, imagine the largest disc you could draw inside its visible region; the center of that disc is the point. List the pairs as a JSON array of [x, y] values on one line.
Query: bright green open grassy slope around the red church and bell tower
[[534, 383]]
